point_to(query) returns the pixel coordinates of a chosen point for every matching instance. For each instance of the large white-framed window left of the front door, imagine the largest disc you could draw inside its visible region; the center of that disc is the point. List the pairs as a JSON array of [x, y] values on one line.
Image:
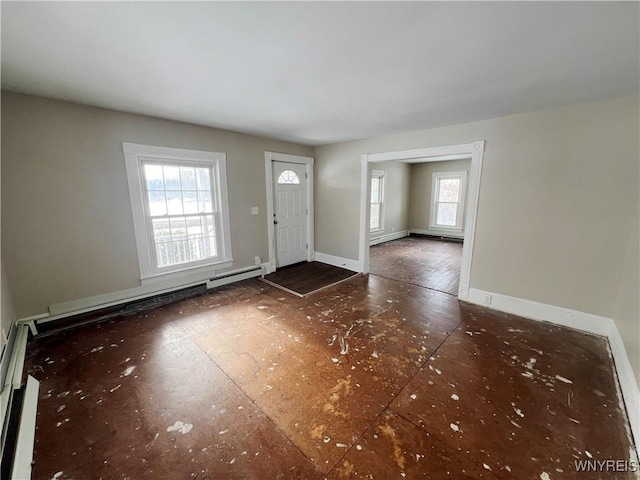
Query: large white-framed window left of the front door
[[180, 209]]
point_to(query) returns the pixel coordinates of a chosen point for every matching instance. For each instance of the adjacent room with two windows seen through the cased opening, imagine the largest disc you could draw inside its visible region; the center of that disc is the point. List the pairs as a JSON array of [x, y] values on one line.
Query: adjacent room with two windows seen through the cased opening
[[426, 201]]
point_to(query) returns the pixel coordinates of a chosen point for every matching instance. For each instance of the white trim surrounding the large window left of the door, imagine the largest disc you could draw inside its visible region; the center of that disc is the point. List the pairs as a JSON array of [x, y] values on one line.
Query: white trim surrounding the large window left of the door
[[134, 154]]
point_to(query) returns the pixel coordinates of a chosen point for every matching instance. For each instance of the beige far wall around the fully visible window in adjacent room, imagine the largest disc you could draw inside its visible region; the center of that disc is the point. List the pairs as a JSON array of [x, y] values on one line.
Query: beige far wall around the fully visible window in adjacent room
[[421, 184]]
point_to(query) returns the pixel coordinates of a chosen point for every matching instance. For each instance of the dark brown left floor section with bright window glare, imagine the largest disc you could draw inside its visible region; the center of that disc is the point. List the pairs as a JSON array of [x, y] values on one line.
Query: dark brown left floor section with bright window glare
[[151, 406]]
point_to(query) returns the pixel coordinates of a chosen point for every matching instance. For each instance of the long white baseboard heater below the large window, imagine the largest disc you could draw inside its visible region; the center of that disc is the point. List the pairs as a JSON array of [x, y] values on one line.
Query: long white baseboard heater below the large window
[[90, 304]]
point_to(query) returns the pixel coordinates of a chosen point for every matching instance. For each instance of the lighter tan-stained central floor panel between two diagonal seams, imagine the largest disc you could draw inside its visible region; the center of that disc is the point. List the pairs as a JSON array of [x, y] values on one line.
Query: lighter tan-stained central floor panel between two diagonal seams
[[341, 366]]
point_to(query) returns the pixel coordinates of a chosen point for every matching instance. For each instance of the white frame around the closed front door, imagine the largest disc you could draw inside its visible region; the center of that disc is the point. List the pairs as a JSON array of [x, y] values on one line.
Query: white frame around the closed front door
[[269, 158]]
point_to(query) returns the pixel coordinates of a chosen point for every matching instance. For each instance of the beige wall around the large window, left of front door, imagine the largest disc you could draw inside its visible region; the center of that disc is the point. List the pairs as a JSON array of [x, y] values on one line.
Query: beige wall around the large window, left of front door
[[67, 229]]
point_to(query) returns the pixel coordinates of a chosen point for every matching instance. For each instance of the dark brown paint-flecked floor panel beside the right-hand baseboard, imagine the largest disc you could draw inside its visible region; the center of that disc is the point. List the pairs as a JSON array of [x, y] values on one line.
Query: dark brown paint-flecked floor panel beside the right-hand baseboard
[[520, 394]]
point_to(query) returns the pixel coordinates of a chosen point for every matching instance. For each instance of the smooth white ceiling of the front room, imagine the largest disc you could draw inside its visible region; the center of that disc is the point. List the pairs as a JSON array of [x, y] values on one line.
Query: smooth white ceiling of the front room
[[319, 73]]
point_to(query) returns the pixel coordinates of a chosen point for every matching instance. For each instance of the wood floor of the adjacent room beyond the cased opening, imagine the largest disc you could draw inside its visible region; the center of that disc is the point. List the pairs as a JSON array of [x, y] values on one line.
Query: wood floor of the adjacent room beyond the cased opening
[[423, 261]]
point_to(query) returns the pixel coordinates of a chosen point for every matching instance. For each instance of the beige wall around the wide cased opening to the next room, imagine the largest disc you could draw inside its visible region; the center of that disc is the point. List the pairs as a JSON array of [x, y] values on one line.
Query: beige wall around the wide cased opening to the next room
[[557, 201]]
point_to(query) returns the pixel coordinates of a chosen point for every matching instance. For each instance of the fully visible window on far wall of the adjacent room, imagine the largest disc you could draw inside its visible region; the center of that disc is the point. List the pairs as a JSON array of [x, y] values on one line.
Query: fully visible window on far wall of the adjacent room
[[447, 202]]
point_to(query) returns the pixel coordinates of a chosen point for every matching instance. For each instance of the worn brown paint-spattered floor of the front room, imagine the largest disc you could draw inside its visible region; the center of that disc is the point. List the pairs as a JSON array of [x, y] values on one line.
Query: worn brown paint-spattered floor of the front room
[[372, 378]]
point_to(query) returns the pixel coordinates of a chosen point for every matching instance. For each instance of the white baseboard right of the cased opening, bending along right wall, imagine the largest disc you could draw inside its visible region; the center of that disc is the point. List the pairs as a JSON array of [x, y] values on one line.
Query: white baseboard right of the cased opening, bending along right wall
[[585, 322]]
